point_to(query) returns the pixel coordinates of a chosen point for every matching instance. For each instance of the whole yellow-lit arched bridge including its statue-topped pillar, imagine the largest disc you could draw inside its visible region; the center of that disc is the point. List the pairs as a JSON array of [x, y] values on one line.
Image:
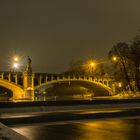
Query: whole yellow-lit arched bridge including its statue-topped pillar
[[23, 84]]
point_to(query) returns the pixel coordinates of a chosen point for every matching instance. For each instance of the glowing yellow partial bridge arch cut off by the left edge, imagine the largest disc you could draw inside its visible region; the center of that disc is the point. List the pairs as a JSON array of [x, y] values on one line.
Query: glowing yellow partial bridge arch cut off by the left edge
[[18, 92]]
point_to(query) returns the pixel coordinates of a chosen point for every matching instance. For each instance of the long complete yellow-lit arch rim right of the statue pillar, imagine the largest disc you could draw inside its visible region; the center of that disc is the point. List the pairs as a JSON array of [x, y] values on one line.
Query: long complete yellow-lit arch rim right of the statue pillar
[[98, 84]]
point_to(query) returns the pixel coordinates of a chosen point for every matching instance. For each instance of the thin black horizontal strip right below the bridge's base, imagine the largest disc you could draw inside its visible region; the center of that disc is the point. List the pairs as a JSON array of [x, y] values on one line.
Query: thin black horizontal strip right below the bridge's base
[[66, 103]]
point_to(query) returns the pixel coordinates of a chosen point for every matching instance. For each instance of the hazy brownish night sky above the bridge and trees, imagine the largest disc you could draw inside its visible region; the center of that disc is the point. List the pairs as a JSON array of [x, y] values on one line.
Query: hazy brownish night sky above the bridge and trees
[[55, 32]]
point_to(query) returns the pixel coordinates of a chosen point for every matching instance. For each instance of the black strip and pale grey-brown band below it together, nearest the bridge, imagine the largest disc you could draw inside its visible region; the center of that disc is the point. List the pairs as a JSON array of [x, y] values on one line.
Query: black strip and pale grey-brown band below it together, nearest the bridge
[[58, 106]]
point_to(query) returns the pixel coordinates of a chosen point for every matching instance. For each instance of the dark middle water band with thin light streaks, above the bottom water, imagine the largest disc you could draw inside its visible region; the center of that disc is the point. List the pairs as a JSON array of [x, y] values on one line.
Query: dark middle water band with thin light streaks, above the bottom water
[[78, 116]]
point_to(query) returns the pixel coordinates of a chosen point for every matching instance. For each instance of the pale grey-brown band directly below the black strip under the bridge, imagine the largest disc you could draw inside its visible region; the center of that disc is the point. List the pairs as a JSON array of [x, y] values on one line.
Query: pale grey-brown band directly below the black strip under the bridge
[[48, 109]]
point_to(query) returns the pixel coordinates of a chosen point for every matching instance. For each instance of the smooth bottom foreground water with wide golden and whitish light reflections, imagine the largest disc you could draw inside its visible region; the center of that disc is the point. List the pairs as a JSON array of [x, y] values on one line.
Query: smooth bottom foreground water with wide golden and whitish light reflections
[[128, 129]]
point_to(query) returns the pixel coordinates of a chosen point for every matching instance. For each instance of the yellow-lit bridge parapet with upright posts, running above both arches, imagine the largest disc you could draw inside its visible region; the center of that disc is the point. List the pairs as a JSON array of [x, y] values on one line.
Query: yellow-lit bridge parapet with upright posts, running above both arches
[[29, 80]]
